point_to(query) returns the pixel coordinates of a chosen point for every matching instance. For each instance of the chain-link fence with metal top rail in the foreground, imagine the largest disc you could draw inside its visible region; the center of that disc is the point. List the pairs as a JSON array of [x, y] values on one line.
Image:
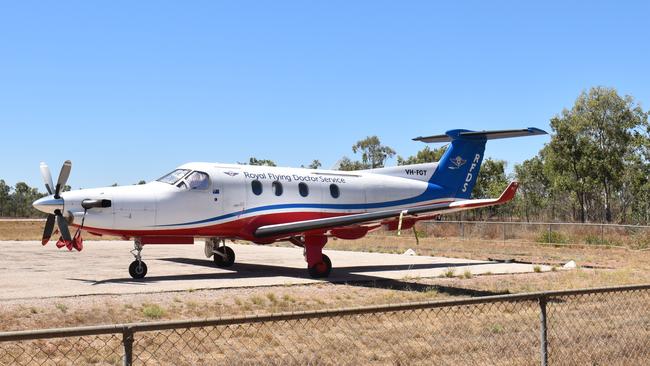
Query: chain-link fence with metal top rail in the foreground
[[605, 326]]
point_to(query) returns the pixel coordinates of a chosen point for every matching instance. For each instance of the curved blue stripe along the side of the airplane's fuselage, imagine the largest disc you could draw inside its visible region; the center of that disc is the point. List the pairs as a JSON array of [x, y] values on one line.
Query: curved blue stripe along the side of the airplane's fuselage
[[432, 192]]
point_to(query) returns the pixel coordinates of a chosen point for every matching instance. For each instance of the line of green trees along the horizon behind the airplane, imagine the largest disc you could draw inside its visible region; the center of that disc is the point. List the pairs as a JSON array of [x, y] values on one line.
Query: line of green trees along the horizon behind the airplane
[[595, 168]]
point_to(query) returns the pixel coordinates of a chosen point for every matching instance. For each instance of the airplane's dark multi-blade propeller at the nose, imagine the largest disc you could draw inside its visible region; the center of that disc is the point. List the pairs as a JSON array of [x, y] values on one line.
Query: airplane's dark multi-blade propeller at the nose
[[57, 202]]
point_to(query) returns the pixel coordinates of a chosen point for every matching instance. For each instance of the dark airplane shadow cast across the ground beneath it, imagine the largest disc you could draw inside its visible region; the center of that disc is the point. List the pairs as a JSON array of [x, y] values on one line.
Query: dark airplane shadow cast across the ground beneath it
[[340, 275]]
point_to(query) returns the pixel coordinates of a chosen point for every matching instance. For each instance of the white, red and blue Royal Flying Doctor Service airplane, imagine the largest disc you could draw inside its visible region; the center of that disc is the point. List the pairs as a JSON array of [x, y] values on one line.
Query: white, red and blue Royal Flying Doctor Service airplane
[[263, 205]]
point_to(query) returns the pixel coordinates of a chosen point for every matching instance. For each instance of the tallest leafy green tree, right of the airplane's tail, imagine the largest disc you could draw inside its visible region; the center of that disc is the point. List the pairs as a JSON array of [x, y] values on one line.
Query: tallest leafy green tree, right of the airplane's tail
[[589, 146]]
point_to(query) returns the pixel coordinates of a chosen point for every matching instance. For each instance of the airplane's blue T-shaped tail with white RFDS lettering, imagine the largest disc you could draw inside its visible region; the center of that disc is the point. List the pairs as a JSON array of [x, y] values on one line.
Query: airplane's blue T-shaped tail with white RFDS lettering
[[459, 166]]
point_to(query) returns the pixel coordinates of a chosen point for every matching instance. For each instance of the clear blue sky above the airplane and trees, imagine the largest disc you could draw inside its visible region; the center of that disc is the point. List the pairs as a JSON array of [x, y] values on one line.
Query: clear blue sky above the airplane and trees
[[130, 89]]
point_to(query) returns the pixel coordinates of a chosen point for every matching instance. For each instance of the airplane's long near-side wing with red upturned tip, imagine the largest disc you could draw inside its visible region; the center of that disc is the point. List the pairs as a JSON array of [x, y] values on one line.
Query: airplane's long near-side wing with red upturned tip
[[334, 222]]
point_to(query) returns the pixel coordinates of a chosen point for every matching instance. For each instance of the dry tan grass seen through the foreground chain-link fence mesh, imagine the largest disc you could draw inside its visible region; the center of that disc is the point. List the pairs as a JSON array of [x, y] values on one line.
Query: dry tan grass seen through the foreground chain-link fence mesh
[[582, 329]]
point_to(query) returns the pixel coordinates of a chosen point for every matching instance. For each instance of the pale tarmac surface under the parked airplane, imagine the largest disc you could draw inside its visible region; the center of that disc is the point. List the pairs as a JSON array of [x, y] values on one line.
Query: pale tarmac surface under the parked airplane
[[29, 270]]
